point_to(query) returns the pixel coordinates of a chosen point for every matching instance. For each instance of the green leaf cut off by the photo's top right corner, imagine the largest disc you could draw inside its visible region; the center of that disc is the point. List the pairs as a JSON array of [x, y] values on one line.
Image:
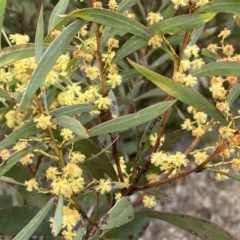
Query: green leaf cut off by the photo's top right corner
[[229, 6]]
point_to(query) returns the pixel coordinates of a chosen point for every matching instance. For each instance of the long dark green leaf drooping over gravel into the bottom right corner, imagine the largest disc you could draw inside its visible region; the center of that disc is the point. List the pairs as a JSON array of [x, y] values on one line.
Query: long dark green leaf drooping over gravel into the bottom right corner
[[198, 227]]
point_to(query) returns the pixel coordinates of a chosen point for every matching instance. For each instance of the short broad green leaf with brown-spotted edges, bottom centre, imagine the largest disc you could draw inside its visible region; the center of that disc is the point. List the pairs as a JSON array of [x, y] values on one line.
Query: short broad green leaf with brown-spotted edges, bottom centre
[[121, 213]]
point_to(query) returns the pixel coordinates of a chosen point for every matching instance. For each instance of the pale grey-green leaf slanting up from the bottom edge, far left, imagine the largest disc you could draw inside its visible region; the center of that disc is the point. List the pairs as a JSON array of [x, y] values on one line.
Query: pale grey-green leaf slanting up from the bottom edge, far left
[[30, 228]]
